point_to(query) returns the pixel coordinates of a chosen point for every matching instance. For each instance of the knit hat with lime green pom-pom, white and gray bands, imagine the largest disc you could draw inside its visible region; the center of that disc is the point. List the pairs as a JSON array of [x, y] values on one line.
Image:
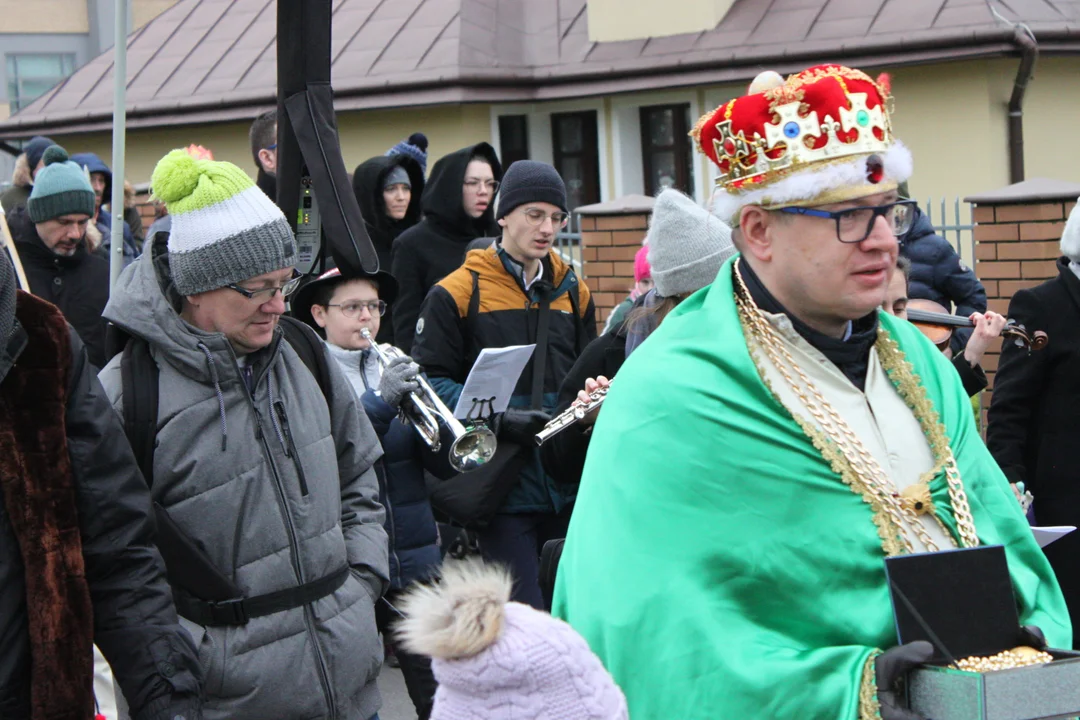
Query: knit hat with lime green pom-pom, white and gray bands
[[225, 229]]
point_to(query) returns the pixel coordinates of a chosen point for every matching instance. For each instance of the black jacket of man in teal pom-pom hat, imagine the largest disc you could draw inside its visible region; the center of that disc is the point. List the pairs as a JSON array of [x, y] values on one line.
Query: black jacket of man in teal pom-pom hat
[[78, 286]]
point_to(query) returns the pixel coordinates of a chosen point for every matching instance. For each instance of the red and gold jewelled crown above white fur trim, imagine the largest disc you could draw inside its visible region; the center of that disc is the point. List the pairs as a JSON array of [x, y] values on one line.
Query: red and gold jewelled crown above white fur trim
[[822, 115]]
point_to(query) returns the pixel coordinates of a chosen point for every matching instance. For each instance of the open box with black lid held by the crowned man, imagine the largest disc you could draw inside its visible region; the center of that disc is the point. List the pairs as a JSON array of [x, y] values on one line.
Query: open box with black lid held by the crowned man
[[965, 600]]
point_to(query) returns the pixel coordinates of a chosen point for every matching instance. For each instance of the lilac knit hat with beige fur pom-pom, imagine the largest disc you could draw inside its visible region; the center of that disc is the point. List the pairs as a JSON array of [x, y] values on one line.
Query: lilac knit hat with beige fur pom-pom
[[497, 660]]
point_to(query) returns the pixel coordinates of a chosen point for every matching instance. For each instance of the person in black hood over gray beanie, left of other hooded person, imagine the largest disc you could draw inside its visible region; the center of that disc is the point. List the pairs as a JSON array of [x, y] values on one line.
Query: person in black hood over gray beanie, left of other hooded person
[[389, 192]]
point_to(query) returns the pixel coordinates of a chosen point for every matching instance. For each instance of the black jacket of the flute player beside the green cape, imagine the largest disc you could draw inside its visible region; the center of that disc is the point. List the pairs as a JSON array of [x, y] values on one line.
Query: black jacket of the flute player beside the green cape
[[564, 455]]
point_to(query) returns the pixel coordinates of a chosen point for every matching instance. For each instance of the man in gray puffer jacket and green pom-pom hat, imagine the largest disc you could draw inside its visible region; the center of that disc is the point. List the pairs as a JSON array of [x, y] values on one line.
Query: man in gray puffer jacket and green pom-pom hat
[[275, 483]]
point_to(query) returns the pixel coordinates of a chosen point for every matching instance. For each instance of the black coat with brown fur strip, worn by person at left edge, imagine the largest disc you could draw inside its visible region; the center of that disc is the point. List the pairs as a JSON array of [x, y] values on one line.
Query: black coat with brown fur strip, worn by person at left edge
[[136, 624]]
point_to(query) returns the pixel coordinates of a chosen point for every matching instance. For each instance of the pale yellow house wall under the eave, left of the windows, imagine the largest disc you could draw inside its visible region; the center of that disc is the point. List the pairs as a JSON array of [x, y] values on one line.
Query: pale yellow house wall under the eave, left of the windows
[[363, 135]]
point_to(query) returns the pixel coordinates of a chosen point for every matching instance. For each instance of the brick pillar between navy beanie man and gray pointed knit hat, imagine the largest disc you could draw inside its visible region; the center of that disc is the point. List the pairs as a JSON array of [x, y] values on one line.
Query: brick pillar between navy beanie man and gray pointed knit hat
[[609, 247]]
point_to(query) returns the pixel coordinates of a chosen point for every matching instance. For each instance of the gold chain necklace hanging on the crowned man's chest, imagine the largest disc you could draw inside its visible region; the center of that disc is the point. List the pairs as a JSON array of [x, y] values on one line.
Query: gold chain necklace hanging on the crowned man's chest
[[899, 517]]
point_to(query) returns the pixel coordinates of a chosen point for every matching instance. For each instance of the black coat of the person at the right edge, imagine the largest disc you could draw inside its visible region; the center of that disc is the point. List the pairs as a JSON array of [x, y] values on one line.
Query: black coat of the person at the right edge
[[1035, 414]]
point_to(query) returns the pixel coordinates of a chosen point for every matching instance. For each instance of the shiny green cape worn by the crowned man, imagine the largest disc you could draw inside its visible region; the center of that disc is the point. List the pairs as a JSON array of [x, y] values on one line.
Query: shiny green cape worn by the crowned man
[[719, 566]]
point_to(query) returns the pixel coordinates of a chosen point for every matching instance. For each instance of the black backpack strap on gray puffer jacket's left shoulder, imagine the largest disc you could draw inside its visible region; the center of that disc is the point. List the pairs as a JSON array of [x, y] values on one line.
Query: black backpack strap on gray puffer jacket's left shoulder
[[139, 375]]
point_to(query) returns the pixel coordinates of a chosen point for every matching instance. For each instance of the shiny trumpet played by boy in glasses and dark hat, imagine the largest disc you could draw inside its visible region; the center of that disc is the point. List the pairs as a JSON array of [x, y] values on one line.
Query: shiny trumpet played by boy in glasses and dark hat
[[423, 410]]
